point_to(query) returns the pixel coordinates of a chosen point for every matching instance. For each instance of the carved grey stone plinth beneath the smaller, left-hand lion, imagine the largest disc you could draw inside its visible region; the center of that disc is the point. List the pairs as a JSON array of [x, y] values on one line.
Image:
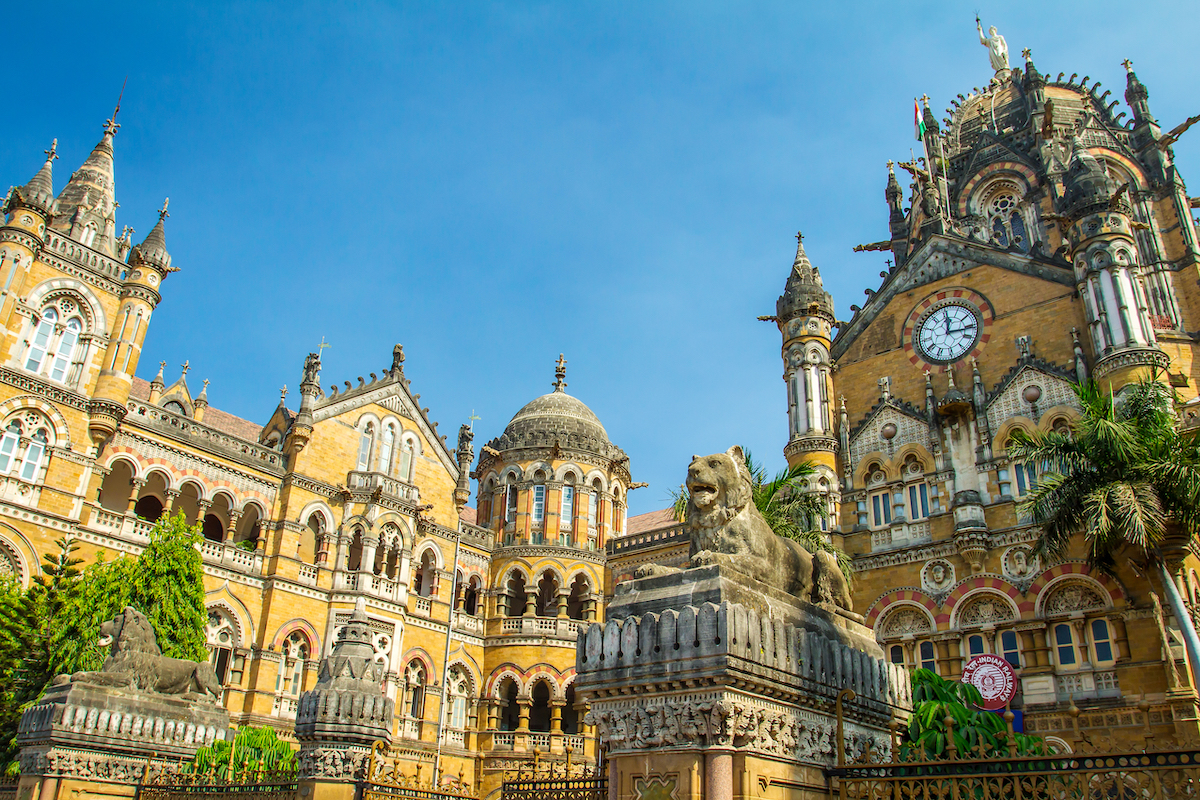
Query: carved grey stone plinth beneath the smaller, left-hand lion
[[81, 735]]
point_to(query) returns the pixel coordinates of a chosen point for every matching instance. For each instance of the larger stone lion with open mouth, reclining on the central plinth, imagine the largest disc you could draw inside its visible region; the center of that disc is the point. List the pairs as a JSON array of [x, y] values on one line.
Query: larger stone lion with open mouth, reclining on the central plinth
[[727, 528]]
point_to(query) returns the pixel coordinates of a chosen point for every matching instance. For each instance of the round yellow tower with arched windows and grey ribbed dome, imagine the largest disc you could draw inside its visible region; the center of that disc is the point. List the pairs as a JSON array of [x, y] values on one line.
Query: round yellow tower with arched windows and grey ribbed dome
[[553, 491]]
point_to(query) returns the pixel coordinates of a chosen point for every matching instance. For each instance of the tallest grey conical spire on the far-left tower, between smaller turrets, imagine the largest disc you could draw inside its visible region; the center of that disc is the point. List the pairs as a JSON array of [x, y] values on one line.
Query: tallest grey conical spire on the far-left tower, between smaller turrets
[[87, 207]]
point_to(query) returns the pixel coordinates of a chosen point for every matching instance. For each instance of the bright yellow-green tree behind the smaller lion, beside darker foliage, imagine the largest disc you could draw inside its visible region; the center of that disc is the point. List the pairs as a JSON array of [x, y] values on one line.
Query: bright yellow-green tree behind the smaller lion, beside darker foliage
[[169, 587]]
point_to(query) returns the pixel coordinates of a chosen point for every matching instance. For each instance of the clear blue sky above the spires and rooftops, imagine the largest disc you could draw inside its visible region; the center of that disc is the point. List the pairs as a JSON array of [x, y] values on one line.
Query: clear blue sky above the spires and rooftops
[[496, 184]]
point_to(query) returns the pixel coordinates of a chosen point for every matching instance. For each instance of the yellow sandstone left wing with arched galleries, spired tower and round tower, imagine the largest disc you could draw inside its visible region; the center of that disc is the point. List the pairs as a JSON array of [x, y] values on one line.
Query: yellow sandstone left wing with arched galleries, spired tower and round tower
[[353, 494]]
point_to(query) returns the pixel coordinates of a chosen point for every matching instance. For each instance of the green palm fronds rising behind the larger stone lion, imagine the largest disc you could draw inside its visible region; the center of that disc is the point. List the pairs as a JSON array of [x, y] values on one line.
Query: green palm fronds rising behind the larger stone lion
[[789, 507]]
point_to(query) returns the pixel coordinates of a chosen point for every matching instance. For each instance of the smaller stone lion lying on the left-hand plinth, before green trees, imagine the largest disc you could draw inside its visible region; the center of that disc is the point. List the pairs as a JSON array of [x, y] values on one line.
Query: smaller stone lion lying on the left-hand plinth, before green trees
[[136, 661]]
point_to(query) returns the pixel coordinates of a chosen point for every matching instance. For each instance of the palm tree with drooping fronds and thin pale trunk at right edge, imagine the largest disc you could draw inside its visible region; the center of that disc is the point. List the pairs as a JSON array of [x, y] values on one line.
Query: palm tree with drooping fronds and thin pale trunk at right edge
[[1127, 480]]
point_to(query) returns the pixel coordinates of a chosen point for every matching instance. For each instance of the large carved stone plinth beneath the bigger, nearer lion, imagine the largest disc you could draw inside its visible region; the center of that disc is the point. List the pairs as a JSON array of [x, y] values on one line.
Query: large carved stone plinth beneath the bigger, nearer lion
[[709, 684]]
